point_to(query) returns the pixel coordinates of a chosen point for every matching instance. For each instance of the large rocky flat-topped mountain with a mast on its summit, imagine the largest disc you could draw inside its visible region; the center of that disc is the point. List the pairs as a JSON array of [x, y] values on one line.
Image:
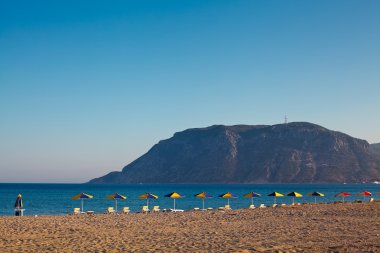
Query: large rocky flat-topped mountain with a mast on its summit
[[296, 152]]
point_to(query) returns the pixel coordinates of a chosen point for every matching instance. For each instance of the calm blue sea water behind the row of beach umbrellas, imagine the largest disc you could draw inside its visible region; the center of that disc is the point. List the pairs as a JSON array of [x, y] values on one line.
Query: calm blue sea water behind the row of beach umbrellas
[[43, 199]]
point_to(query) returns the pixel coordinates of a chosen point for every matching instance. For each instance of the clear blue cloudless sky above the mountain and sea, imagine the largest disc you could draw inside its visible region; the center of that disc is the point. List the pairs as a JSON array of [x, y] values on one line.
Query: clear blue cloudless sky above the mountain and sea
[[88, 86]]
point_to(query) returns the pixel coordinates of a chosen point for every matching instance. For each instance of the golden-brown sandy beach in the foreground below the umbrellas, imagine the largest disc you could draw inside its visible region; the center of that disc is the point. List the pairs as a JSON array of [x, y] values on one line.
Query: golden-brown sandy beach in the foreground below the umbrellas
[[349, 227]]
